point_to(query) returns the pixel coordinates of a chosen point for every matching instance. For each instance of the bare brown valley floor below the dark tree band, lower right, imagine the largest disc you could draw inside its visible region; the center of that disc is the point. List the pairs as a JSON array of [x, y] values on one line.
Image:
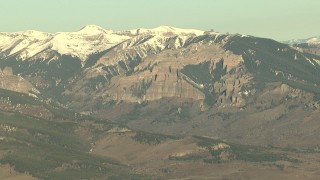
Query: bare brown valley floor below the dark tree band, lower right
[[155, 160]]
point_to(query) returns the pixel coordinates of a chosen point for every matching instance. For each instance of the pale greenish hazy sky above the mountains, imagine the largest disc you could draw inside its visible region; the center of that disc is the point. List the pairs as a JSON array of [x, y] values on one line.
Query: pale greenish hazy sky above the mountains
[[277, 19]]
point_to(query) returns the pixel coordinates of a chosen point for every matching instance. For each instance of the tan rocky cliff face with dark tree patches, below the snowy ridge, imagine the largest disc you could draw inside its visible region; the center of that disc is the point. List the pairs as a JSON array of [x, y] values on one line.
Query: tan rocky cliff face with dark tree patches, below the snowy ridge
[[197, 68]]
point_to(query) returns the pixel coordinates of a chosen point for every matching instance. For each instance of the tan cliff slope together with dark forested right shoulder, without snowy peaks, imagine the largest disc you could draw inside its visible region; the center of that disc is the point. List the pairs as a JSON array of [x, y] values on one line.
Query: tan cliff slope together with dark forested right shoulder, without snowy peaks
[[214, 68]]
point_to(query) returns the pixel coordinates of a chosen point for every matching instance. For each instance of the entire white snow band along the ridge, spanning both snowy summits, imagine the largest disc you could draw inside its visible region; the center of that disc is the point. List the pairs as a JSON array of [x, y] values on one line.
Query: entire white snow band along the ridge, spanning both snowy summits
[[88, 40]]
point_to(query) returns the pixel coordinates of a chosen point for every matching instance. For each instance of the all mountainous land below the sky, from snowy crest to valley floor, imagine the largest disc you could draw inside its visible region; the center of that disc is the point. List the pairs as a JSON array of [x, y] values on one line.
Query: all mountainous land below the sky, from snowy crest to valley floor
[[143, 103]]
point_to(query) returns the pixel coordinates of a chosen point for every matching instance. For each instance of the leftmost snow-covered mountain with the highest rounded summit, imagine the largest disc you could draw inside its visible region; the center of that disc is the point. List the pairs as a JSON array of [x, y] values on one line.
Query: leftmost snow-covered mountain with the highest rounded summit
[[89, 40]]
